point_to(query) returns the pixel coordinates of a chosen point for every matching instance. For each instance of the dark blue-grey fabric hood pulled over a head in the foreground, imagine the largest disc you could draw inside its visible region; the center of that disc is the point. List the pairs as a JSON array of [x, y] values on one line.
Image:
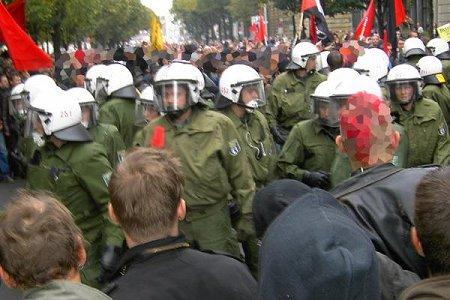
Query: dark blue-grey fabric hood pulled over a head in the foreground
[[314, 250]]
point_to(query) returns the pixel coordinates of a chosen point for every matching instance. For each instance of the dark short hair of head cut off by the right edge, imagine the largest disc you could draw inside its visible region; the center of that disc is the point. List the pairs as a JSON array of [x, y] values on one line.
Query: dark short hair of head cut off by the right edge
[[432, 219]]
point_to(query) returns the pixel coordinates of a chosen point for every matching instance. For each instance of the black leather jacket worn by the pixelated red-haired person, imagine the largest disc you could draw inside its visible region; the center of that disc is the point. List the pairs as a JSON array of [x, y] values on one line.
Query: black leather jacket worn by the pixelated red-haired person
[[381, 199]]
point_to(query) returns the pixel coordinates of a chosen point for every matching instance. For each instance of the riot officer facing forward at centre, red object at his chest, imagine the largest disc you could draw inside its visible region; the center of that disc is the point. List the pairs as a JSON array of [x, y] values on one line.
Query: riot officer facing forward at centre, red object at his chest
[[210, 152]]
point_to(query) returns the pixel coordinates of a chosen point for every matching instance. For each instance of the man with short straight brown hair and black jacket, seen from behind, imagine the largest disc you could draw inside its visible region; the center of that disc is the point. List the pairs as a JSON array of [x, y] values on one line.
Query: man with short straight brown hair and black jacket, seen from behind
[[146, 201]]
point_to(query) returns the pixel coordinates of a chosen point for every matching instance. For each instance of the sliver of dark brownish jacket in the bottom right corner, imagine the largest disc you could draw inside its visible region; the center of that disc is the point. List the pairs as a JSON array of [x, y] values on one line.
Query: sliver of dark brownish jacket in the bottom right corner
[[432, 288]]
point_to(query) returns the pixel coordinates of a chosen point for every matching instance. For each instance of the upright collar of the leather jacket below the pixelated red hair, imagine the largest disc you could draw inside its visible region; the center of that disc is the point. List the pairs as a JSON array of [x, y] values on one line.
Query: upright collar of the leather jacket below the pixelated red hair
[[364, 179]]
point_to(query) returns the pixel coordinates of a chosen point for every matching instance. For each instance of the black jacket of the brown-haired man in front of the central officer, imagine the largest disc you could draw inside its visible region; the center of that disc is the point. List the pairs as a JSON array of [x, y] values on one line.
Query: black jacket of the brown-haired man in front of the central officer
[[169, 269]]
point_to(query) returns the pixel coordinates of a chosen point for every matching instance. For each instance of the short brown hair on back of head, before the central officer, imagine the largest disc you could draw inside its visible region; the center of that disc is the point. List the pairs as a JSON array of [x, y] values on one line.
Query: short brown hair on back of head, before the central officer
[[145, 190]]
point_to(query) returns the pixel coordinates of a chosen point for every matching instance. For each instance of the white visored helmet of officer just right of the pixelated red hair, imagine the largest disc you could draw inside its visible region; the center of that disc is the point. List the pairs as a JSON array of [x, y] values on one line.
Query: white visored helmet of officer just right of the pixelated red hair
[[401, 76]]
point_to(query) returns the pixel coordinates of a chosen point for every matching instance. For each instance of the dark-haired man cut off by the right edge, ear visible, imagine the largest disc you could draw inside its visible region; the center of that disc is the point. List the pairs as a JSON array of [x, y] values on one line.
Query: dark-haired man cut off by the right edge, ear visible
[[431, 237]]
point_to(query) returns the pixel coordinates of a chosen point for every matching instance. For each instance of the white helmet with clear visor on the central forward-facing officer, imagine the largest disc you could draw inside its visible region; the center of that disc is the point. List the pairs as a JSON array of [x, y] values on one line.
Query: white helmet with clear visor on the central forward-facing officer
[[169, 83]]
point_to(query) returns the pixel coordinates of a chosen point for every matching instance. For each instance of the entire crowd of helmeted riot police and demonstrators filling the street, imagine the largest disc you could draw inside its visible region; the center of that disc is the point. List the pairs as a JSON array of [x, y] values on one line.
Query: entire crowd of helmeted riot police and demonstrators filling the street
[[232, 170]]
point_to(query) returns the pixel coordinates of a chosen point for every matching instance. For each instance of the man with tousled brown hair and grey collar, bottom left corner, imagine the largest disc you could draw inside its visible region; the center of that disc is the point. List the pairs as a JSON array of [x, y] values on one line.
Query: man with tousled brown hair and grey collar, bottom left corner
[[41, 250]]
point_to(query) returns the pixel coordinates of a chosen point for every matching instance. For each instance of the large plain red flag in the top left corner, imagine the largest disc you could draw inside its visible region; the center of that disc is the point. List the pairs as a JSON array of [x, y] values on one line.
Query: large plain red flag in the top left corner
[[24, 53]]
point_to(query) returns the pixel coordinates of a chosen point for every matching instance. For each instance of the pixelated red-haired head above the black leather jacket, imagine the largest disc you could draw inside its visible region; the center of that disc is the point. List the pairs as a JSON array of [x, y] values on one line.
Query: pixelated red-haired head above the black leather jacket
[[366, 130]]
